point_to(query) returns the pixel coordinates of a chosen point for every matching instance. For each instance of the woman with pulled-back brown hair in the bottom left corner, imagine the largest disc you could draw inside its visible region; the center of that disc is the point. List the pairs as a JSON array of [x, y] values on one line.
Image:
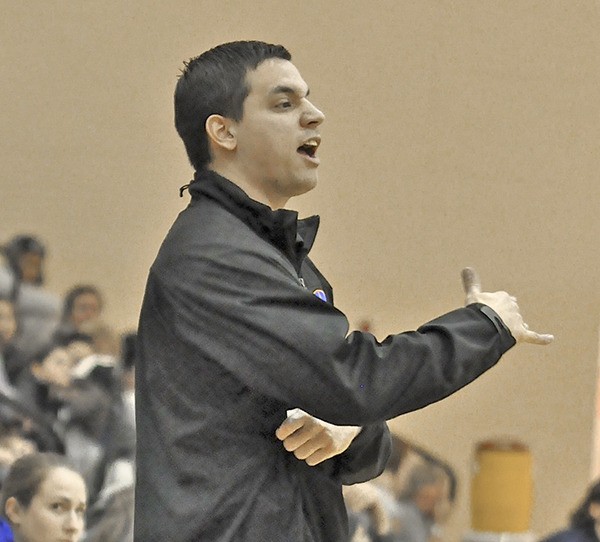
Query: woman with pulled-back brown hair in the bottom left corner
[[43, 500]]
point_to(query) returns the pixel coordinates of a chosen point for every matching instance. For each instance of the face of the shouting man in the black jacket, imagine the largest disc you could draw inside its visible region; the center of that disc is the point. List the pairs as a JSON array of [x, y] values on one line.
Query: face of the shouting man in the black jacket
[[278, 136]]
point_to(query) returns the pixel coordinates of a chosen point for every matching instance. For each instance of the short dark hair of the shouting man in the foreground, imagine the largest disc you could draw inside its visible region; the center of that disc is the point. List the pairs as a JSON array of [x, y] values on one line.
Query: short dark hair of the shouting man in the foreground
[[214, 83]]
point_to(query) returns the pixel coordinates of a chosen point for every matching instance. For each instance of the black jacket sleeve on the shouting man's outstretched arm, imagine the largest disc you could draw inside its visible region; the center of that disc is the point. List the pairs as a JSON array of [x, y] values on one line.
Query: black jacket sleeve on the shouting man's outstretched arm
[[247, 309]]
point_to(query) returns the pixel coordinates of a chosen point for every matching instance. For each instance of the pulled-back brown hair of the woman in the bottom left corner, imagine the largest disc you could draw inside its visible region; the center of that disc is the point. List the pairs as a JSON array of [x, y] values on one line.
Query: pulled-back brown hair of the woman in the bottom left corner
[[27, 474]]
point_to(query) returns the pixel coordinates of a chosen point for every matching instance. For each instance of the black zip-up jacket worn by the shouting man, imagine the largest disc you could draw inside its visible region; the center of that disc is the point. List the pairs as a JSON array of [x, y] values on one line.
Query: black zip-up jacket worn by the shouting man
[[238, 326]]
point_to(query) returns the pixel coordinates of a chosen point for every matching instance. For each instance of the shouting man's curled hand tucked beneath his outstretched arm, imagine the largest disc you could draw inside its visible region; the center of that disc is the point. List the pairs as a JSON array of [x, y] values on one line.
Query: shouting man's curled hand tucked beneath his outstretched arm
[[313, 440]]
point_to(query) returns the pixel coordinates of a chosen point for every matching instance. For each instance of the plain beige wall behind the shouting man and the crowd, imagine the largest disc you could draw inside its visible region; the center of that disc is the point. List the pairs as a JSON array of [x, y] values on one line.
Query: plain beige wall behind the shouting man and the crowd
[[460, 132]]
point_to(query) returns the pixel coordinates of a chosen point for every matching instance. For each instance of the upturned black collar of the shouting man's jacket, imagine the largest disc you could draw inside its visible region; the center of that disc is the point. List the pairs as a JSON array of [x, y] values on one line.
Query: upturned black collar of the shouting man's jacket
[[281, 227]]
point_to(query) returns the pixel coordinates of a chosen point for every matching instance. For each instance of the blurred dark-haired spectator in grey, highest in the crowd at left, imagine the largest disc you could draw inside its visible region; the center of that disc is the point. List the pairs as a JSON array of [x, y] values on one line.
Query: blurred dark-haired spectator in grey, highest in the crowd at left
[[37, 310]]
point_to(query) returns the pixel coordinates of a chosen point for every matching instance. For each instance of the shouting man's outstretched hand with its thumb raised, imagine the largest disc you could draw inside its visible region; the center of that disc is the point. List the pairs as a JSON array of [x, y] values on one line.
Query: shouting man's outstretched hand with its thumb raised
[[505, 306]]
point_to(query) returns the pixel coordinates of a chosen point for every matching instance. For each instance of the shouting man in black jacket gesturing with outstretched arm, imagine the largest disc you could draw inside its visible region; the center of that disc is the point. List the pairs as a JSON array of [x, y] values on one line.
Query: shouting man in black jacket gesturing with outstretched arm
[[239, 338]]
